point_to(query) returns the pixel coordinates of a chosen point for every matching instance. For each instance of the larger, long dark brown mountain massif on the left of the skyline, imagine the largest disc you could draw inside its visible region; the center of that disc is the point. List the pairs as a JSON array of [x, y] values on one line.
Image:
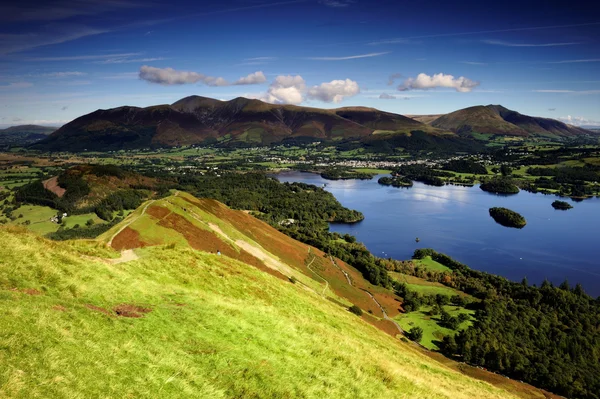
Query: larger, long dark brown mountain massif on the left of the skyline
[[241, 121]]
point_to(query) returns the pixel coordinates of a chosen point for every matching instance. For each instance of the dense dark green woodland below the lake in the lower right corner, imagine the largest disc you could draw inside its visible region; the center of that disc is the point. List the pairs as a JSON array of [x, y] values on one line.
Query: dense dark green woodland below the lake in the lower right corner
[[548, 336]]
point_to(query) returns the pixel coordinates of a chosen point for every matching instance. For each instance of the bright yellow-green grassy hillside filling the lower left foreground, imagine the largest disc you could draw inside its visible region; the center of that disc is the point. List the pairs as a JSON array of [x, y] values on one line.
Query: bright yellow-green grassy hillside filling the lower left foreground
[[204, 326]]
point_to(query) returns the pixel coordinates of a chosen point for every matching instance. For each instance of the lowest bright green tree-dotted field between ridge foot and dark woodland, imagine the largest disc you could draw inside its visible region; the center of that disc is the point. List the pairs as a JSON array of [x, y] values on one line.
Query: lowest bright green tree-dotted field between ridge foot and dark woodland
[[431, 330]]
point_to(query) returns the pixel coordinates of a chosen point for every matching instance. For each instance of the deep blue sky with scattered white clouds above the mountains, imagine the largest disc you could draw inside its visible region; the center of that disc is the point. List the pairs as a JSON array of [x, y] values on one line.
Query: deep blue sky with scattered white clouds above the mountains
[[63, 59]]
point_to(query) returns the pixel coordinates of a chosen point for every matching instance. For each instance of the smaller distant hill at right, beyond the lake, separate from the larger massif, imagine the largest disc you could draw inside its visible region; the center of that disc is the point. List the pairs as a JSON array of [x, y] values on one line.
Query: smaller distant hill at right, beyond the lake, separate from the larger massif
[[496, 119]]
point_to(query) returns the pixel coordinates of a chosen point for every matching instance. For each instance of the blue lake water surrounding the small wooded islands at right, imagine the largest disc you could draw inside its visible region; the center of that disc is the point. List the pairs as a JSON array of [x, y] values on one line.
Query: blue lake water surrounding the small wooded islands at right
[[556, 245]]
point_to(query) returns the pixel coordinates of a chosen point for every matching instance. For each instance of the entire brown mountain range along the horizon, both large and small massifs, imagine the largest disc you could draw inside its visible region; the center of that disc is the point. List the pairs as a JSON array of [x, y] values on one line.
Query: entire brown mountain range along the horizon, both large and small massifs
[[199, 120]]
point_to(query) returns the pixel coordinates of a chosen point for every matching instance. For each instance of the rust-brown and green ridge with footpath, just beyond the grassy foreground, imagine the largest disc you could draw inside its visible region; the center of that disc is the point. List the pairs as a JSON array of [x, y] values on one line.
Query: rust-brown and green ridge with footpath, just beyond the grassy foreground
[[208, 225]]
